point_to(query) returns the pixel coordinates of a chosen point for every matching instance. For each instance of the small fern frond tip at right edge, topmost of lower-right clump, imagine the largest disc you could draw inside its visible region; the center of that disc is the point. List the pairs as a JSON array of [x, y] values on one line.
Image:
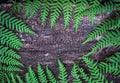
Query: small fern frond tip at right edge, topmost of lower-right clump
[[114, 58]]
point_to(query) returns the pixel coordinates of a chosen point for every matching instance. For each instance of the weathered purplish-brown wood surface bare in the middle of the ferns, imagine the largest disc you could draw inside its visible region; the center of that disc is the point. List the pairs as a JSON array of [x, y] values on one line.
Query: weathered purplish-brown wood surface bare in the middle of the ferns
[[48, 45]]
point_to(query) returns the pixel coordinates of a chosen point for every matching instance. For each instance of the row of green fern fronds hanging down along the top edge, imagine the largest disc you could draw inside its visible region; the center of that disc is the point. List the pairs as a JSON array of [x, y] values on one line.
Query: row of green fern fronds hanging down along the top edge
[[80, 8]]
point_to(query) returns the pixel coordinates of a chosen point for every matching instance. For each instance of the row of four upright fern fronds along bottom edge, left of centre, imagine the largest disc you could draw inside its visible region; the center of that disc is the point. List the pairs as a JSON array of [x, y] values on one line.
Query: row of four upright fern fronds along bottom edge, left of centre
[[47, 77]]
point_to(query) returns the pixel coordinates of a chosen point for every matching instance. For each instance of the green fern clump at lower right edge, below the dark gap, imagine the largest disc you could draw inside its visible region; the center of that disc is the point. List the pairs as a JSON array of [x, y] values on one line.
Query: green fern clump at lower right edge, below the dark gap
[[111, 65]]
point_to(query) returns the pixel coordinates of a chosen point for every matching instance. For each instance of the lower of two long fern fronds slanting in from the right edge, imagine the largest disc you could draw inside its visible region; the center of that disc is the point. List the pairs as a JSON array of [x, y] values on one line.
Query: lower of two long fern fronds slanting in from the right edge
[[111, 39]]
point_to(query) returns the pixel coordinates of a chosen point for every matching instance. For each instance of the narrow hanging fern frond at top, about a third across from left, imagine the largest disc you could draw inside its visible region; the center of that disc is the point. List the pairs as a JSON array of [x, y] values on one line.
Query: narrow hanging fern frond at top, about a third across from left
[[45, 11]]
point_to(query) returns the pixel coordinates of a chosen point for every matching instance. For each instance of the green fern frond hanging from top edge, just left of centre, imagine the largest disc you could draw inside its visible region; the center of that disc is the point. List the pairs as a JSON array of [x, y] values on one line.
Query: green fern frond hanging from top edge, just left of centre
[[56, 8]]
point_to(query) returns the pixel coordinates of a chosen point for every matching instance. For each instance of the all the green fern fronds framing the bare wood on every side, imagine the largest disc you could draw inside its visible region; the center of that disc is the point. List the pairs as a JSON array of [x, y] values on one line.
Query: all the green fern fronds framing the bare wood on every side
[[108, 30]]
